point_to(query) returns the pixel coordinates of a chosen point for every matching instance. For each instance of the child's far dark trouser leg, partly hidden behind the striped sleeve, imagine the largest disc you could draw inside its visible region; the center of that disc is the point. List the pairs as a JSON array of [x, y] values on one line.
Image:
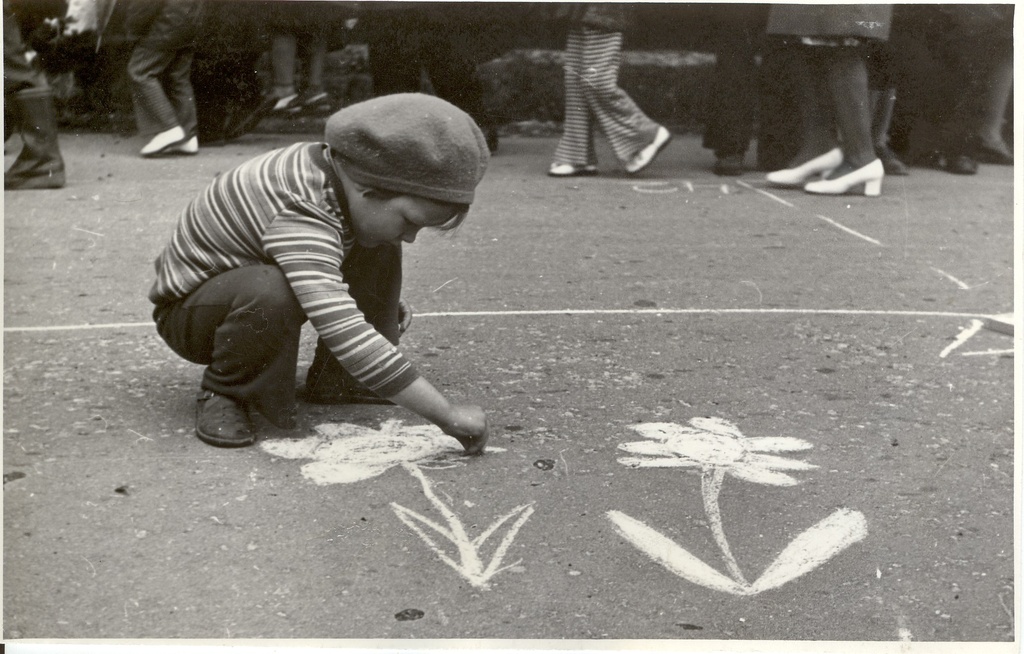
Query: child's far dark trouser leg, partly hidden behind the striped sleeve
[[374, 279]]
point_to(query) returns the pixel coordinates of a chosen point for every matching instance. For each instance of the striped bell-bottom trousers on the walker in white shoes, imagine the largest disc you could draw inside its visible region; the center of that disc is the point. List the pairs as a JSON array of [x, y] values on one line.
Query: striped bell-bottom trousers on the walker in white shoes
[[593, 96]]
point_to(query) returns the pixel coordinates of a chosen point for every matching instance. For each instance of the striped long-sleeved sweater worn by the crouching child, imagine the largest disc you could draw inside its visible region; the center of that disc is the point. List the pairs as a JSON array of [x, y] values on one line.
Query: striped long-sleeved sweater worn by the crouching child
[[282, 209]]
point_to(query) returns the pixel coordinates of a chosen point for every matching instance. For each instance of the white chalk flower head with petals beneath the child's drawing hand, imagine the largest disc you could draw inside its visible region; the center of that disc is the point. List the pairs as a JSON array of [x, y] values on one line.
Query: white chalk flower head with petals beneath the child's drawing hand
[[345, 454]]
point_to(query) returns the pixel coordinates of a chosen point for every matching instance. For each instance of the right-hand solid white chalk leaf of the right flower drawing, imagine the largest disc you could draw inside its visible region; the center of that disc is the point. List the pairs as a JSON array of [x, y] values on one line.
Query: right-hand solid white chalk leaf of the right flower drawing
[[813, 548]]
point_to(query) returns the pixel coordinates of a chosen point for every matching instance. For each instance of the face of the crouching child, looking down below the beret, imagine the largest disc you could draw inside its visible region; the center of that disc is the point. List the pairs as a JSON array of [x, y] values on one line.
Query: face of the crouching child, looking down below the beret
[[379, 221]]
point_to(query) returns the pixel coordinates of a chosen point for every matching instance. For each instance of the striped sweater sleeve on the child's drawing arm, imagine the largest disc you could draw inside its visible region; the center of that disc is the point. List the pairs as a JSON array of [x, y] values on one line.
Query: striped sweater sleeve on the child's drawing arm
[[310, 254]]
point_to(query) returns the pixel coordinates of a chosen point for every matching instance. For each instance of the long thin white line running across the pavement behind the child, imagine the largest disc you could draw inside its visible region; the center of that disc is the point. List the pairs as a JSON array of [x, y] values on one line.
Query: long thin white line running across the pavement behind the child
[[474, 315]]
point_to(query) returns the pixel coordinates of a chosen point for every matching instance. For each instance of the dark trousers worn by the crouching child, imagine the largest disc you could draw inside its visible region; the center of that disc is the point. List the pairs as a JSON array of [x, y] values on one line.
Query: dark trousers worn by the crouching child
[[244, 326]]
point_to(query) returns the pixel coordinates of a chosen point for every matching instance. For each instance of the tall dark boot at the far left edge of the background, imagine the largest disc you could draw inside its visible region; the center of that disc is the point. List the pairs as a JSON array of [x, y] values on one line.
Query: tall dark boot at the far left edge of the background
[[39, 165]]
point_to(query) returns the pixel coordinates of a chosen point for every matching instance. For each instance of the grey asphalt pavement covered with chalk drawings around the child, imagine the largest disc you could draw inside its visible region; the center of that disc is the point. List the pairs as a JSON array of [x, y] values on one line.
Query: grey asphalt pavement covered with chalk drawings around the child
[[721, 414]]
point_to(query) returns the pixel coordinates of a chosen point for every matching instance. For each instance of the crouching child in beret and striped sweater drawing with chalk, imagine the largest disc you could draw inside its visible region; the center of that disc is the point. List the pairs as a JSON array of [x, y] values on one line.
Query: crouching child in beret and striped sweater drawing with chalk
[[315, 232]]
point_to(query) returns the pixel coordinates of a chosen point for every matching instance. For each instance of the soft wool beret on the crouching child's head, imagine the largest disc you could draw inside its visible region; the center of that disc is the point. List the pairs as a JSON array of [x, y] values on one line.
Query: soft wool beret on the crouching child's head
[[411, 144]]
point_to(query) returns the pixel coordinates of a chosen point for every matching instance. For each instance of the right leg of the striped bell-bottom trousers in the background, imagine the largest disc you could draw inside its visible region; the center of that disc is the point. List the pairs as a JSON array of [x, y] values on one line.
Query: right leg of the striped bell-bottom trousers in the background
[[624, 124]]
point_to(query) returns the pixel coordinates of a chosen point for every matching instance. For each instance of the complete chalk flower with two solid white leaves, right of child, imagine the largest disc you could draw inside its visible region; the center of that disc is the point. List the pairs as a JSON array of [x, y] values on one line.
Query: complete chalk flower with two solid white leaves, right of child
[[717, 448]]
